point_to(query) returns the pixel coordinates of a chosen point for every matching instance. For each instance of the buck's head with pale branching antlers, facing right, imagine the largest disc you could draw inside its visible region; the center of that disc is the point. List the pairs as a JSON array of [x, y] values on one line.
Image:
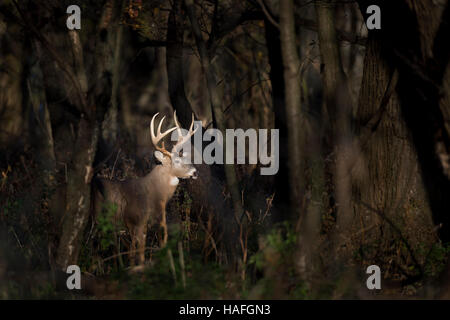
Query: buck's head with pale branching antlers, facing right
[[179, 163]]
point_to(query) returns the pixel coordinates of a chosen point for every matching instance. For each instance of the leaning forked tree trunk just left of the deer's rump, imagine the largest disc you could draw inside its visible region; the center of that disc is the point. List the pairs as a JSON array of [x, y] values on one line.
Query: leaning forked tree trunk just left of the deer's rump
[[94, 105]]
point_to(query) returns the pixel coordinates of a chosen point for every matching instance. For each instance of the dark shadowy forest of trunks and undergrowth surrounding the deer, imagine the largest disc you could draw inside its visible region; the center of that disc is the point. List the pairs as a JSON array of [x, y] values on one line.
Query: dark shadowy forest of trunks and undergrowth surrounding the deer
[[364, 120]]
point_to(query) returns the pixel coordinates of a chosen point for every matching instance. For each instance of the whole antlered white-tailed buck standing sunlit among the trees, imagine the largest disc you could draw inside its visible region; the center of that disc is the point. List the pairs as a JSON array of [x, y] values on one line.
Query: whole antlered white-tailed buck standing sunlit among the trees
[[142, 201]]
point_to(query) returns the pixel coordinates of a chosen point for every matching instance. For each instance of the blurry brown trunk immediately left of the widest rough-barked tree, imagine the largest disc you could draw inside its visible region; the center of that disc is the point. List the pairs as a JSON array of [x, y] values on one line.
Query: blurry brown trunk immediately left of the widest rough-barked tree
[[337, 112]]
